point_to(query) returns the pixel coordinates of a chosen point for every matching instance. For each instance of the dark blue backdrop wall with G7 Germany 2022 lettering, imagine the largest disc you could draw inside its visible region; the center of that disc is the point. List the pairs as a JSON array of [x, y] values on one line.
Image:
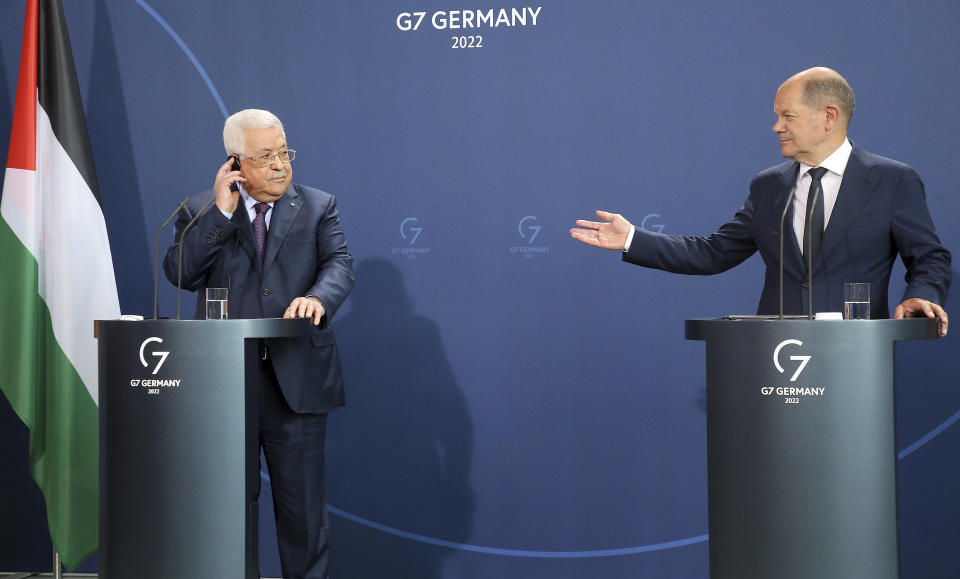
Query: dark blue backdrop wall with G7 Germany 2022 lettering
[[519, 405]]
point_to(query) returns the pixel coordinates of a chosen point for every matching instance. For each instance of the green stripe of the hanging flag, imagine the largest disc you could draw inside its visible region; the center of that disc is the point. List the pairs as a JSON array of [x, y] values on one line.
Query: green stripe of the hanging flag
[[46, 392]]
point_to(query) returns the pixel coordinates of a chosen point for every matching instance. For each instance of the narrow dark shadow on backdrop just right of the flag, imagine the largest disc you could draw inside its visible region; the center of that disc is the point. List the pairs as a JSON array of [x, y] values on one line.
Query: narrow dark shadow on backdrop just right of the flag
[[109, 128]]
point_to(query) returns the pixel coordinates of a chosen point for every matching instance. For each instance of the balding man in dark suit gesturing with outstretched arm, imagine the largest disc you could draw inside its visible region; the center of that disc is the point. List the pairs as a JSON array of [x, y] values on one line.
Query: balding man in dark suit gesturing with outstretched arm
[[864, 210]]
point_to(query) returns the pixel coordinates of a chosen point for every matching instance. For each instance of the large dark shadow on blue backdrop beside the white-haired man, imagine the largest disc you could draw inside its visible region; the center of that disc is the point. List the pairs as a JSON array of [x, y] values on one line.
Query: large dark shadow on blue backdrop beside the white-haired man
[[400, 452]]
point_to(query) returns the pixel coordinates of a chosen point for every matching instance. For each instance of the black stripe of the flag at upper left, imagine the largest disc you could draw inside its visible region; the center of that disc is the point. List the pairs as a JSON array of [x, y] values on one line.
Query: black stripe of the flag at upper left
[[59, 93]]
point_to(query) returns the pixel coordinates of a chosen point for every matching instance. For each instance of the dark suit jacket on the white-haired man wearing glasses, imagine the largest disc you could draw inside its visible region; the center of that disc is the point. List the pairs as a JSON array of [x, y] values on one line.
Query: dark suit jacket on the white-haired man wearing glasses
[[305, 254]]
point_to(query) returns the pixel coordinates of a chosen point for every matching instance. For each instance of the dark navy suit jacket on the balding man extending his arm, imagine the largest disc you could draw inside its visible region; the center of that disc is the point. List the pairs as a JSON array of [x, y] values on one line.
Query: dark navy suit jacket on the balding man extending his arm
[[880, 211]]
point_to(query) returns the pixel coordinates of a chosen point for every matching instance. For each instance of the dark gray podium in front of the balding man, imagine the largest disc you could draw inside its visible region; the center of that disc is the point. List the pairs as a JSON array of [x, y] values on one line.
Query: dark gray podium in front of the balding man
[[801, 456]]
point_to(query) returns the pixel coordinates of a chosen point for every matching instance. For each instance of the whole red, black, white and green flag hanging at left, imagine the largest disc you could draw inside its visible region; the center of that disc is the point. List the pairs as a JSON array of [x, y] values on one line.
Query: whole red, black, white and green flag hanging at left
[[56, 277]]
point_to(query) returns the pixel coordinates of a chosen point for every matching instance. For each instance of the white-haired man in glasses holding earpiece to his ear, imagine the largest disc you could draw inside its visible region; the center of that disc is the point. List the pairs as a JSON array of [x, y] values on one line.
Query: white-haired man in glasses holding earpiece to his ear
[[279, 249]]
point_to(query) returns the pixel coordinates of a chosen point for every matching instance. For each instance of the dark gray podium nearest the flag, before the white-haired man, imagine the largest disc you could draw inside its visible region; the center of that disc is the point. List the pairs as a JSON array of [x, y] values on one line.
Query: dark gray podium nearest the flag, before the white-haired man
[[179, 458]]
